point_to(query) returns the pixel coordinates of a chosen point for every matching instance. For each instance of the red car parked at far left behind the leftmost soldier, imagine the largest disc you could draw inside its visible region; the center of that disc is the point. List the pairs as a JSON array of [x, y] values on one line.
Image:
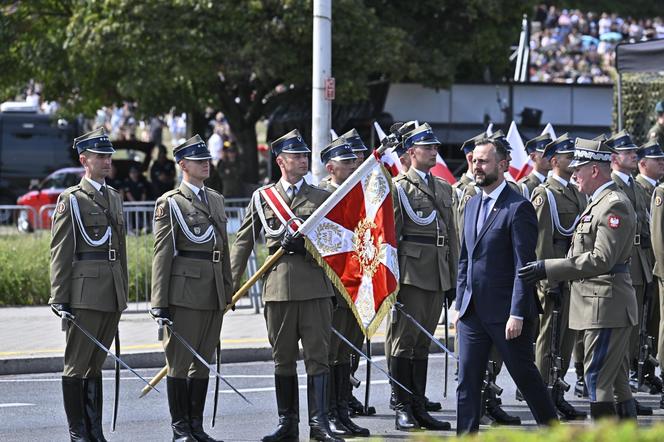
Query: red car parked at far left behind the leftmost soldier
[[46, 193]]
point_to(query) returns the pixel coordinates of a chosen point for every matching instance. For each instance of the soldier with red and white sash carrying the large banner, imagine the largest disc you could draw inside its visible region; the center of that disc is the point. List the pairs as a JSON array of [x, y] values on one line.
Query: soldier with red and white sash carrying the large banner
[[297, 293]]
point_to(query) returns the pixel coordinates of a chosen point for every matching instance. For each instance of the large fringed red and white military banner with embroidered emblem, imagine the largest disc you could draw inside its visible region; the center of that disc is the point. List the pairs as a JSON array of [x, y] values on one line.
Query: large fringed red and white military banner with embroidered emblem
[[352, 236]]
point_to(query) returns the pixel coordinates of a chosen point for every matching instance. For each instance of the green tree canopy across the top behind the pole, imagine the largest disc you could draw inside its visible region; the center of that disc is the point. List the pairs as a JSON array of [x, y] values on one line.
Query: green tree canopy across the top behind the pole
[[243, 57]]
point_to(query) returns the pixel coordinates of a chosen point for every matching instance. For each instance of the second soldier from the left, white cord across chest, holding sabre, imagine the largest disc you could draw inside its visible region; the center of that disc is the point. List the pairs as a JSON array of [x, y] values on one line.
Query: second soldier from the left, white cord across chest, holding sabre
[[191, 284]]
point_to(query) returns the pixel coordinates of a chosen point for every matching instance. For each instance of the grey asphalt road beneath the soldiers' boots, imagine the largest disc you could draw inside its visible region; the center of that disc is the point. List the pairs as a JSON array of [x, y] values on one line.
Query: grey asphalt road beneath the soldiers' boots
[[31, 405]]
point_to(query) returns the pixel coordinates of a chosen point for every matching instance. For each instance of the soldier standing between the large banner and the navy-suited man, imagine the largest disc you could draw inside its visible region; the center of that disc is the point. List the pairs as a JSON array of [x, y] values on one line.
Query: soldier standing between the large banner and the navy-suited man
[[427, 241]]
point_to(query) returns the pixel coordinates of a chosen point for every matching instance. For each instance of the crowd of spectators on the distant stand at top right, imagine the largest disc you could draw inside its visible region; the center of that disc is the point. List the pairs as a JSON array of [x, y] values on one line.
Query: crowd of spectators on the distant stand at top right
[[571, 46]]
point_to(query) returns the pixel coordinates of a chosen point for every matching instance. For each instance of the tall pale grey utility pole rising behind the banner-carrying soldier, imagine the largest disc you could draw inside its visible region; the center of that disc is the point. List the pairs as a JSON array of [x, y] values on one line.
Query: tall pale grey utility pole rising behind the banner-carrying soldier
[[322, 85]]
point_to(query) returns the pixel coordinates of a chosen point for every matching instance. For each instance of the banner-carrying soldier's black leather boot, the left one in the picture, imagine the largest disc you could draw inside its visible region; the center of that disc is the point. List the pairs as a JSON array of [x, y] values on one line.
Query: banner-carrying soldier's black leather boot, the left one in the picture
[[288, 407]]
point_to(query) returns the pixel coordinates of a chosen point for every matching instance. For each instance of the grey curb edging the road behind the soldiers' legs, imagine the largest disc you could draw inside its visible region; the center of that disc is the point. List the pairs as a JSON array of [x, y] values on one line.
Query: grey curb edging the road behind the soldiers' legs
[[155, 359]]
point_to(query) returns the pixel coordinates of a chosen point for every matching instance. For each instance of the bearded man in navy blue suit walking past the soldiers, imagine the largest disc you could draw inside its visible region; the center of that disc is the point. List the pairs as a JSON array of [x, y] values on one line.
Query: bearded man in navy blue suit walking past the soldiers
[[494, 305]]
